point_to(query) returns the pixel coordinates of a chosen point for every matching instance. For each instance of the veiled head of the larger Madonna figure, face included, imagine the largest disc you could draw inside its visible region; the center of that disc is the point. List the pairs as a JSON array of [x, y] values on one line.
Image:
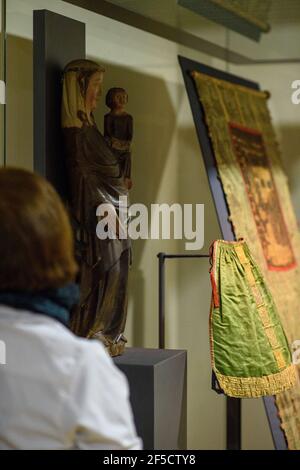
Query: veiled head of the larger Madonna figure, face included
[[82, 86]]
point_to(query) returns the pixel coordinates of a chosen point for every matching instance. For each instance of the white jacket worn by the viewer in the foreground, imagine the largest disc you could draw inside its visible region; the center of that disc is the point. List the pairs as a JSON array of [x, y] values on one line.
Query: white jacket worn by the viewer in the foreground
[[58, 391]]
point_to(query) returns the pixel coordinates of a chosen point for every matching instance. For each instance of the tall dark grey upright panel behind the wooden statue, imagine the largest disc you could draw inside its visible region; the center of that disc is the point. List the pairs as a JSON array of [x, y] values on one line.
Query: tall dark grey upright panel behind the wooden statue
[[56, 41]]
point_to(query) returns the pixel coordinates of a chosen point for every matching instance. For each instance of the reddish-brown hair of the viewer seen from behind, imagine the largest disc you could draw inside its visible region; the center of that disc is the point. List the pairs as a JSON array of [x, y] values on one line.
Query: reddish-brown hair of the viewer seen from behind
[[36, 241]]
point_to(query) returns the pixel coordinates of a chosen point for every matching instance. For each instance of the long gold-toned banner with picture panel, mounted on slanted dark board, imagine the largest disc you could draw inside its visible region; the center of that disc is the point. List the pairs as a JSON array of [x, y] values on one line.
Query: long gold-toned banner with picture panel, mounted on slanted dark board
[[256, 189]]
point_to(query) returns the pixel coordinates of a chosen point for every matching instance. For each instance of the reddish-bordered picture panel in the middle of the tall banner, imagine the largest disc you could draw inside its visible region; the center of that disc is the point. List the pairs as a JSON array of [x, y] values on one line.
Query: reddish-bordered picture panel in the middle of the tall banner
[[250, 151]]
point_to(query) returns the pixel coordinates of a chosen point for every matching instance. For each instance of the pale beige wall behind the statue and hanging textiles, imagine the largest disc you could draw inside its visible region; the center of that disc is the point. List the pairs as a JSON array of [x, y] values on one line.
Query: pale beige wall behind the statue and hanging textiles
[[167, 168]]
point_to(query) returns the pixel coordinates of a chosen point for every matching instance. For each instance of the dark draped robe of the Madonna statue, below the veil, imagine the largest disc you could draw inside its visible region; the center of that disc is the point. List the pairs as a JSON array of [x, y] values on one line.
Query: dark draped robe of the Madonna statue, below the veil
[[94, 179]]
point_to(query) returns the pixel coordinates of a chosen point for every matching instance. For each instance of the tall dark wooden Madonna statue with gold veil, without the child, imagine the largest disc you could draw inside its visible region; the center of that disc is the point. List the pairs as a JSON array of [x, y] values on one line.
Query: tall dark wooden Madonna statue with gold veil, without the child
[[96, 176]]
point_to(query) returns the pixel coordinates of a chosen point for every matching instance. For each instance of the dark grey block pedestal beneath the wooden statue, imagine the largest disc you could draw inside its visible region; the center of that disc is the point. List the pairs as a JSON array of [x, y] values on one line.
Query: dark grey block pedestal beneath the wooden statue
[[157, 380]]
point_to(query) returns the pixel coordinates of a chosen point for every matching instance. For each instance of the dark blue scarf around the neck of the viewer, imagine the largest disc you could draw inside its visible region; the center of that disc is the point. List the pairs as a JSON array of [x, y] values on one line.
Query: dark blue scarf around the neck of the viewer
[[54, 303]]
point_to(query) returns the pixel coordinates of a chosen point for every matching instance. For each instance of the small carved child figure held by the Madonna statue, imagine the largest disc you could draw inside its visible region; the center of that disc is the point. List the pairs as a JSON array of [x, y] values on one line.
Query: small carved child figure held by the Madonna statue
[[118, 130]]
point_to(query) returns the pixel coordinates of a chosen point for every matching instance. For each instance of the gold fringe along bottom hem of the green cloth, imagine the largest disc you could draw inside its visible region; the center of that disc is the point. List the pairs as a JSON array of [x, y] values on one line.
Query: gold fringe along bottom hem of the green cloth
[[254, 387]]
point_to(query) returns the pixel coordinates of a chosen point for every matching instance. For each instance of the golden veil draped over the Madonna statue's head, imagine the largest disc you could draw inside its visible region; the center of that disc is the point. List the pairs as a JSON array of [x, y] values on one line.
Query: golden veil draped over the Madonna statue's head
[[76, 78]]
